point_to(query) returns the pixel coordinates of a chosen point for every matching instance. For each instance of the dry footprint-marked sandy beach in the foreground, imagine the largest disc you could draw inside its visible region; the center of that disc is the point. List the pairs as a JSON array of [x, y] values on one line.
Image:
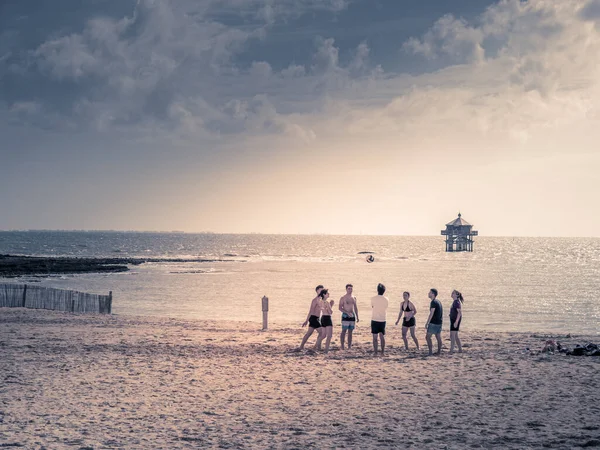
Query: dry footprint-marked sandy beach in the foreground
[[89, 381]]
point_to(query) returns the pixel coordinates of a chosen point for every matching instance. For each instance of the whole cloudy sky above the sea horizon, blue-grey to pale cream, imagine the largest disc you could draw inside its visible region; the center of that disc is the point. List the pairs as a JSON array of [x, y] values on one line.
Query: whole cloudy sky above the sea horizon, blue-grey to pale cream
[[300, 116]]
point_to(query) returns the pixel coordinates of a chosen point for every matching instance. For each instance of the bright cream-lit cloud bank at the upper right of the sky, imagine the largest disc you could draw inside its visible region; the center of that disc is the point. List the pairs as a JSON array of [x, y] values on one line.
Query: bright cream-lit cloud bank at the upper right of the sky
[[540, 73]]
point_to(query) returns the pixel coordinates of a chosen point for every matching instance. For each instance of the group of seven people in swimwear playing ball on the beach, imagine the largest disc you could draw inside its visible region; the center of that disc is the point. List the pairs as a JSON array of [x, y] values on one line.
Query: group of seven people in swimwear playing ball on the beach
[[321, 310]]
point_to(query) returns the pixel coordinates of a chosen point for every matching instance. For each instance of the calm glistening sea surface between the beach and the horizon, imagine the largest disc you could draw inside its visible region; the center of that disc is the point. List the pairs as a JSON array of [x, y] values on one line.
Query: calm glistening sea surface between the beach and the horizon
[[509, 284]]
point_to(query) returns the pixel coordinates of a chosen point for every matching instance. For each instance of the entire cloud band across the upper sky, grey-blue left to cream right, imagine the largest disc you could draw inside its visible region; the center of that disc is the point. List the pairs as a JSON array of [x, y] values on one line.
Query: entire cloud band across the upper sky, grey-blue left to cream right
[[519, 68]]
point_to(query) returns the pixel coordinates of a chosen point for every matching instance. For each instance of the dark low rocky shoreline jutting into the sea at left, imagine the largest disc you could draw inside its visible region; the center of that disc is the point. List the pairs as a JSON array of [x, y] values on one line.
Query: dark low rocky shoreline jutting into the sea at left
[[12, 266]]
